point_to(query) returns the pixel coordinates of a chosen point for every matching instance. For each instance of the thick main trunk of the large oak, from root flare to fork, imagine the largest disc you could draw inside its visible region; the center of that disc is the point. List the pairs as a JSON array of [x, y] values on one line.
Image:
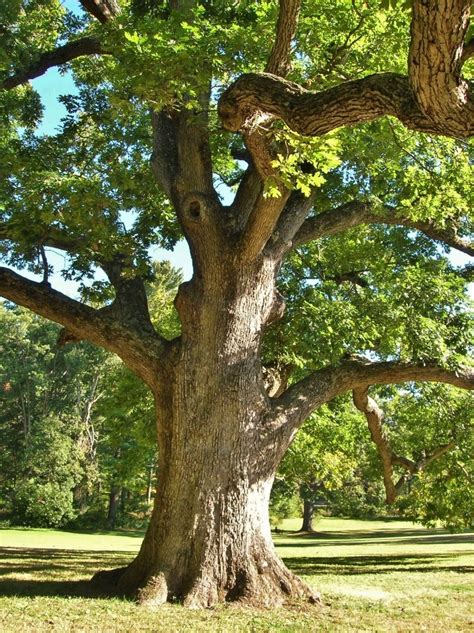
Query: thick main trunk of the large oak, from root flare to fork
[[209, 538]]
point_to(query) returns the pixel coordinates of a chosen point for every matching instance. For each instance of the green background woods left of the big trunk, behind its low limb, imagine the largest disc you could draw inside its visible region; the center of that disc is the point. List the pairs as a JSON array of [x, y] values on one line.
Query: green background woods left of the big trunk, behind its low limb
[[76, 426]]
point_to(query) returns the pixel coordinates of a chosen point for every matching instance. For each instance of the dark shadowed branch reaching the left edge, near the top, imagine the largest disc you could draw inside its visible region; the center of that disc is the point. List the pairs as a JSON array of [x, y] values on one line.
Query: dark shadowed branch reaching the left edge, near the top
[[56, 57]]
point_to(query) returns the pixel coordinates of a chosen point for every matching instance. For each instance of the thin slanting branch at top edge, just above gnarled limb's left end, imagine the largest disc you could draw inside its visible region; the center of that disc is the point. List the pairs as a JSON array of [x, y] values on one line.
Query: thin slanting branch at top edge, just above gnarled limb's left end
[[279, 62]]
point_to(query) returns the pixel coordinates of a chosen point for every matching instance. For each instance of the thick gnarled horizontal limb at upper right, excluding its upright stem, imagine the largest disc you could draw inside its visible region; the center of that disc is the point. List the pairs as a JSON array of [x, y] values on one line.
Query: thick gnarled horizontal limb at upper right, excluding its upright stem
[[317, 113]]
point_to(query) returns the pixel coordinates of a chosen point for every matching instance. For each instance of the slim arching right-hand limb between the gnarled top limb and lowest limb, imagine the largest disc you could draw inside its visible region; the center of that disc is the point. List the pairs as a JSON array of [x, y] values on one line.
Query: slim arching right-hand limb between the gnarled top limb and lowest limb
[[355, 213]]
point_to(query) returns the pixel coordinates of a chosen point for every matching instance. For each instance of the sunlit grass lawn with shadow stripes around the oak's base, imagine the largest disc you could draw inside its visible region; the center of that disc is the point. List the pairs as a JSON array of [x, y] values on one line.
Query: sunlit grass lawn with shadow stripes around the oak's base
[[374, 576]]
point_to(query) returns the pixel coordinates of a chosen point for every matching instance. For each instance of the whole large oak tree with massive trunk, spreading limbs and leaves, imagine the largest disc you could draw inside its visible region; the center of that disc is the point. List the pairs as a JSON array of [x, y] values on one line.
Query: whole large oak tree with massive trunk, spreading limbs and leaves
[[207, 87]]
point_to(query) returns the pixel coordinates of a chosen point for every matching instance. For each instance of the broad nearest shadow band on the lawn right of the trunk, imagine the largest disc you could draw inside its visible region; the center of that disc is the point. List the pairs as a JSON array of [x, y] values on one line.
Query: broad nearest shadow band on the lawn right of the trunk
[[353, 565]]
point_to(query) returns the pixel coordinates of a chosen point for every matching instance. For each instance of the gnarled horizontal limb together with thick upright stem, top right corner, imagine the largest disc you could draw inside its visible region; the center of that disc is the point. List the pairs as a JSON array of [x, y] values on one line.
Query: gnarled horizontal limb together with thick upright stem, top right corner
[[432, 99]]
